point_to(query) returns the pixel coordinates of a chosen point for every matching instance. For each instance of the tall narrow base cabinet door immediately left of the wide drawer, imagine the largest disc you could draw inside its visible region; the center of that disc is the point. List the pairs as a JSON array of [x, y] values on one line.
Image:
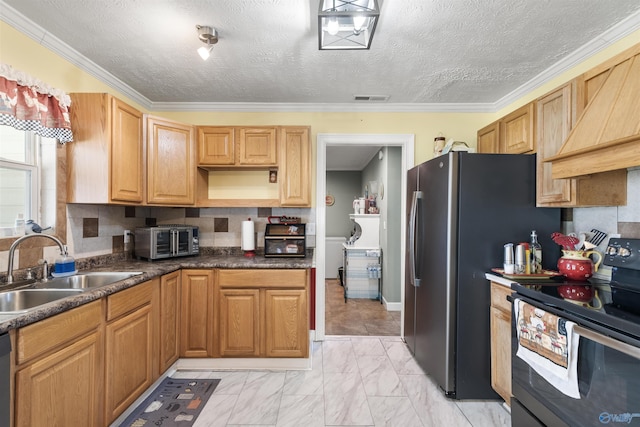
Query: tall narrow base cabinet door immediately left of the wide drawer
[[196, 314]]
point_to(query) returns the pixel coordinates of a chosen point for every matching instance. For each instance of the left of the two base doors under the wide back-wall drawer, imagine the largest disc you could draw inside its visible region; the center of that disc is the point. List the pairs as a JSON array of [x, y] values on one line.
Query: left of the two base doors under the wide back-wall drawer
[[239, 322]]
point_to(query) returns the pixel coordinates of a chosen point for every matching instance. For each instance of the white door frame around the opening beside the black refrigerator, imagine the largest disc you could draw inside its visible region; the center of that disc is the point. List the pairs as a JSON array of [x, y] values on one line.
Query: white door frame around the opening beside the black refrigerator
[[406, 143]]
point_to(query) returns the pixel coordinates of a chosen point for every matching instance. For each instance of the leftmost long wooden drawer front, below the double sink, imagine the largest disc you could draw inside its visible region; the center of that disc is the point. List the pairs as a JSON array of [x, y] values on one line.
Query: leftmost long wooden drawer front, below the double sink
[[56, 331]]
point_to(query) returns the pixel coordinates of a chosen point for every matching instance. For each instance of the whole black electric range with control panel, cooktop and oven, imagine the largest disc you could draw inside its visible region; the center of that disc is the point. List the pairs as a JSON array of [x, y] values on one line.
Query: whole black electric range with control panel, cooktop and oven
[[608, 362]]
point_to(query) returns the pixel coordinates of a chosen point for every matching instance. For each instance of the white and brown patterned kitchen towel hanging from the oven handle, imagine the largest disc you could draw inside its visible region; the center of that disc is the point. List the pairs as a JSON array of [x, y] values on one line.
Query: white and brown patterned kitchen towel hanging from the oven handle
[[549, 345]]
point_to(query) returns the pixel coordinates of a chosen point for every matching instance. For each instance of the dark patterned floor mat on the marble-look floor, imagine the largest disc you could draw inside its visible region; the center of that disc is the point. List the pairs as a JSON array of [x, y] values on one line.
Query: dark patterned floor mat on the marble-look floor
[[176, 401]]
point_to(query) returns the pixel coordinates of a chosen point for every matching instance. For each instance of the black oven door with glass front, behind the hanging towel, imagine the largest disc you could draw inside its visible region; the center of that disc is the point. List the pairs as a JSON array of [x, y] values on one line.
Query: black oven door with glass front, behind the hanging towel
[[608, 379]]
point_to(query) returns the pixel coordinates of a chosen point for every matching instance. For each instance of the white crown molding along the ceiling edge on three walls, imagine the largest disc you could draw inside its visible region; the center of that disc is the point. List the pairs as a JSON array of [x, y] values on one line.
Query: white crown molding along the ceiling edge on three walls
[[41, 36]]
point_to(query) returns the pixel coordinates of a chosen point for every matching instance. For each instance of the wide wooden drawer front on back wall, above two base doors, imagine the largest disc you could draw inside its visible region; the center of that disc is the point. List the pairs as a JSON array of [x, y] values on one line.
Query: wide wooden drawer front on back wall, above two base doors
[[269, 278]]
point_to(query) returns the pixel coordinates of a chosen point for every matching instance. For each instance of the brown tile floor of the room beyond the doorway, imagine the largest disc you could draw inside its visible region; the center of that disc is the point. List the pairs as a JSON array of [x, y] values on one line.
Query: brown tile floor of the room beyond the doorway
[[357, 317]]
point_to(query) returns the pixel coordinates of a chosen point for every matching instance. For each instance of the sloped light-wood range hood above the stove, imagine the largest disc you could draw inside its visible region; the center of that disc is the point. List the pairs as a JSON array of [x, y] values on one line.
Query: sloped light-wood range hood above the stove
[[606, 137]]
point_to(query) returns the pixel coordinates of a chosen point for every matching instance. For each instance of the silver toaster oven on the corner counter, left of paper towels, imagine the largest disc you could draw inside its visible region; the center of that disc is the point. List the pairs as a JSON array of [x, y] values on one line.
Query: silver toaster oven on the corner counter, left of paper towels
[[166, 241]]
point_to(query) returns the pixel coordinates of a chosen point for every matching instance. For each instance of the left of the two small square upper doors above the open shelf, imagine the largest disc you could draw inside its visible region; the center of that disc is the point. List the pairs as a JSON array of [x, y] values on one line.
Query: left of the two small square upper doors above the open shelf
[[216, 146]]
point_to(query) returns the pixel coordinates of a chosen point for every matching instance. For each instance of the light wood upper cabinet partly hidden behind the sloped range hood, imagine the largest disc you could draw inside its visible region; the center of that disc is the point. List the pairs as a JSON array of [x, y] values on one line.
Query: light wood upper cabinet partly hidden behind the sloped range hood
[[556, 115]]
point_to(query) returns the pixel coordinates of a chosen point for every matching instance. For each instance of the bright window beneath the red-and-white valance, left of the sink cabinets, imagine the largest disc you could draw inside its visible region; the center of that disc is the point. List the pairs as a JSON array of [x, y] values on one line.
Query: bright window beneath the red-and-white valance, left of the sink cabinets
[[27, 179]]
